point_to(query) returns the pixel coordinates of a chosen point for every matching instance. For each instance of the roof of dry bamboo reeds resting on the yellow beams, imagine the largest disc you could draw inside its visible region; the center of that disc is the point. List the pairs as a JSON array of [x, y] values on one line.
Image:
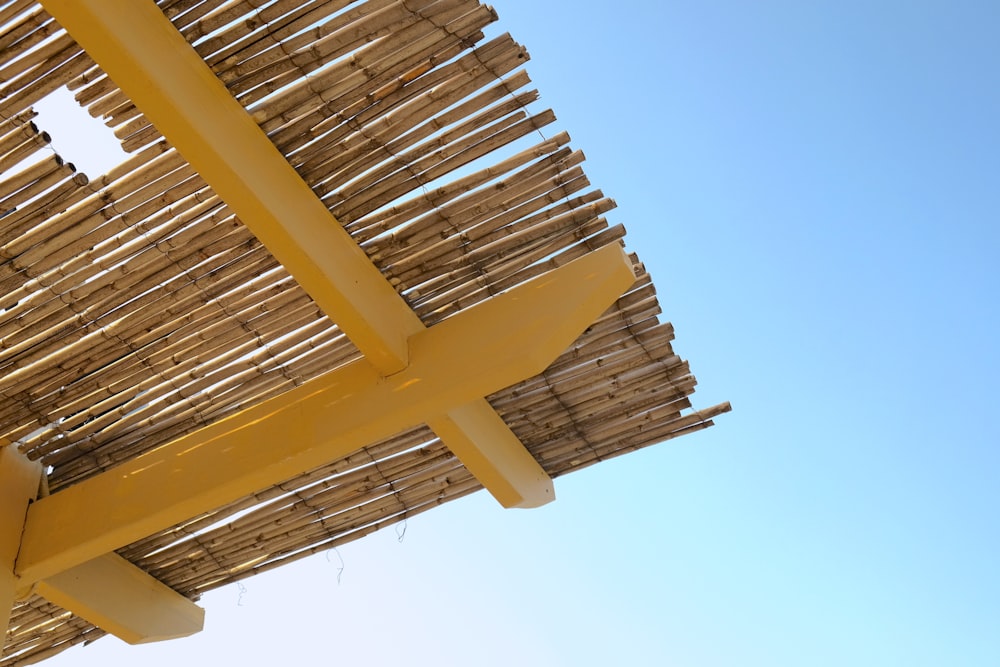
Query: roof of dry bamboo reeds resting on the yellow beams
[[138, 308]]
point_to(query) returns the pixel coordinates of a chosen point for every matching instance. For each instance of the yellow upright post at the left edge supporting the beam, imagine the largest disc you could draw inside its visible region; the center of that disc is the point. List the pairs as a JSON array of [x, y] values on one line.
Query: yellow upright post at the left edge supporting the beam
[[19, 479]]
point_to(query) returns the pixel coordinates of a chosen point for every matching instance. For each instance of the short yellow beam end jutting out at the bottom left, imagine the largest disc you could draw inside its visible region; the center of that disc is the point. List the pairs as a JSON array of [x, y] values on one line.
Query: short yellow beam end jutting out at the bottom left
[[118, 597]]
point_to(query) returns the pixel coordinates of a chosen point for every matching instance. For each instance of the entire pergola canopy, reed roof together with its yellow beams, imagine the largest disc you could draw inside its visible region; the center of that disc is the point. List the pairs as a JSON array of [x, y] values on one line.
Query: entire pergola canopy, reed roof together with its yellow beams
[[347, 272]]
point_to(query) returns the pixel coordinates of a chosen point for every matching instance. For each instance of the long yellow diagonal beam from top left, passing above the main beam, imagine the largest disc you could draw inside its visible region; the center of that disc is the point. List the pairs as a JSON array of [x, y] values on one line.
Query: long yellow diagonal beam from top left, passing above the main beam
[[156, 67]]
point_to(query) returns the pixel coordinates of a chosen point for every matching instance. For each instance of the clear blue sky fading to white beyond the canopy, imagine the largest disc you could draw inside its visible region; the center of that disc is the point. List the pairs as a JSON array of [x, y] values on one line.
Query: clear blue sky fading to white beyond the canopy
[[815, 187]]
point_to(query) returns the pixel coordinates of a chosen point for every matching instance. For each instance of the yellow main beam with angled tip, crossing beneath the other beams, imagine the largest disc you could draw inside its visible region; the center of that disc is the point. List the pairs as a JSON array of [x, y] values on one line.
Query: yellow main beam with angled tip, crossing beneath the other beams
[[476, 352]]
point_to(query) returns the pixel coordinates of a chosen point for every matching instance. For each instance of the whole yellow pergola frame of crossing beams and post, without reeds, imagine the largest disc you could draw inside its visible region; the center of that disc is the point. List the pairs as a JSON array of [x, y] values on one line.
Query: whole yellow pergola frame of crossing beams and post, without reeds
[[409, 374]]
